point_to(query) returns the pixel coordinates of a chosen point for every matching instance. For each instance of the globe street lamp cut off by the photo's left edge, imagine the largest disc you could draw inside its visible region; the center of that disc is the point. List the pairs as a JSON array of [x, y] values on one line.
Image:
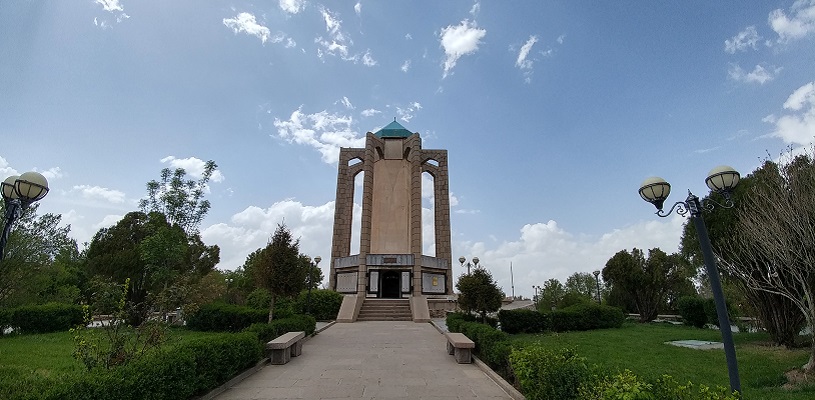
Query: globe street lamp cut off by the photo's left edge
[[18, 193]]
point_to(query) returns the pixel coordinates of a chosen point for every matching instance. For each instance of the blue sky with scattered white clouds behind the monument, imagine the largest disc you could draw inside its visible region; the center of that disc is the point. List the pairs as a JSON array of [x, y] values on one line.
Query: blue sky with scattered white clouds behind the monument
[[552, 112]]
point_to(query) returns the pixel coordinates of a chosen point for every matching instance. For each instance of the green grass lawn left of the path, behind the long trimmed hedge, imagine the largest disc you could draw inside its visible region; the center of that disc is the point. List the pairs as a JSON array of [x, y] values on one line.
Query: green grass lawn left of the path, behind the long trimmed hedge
[[25, 359]]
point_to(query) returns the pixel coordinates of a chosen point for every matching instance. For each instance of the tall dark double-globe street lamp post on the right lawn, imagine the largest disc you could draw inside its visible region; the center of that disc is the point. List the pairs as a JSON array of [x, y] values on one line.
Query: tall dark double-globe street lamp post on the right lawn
[[721, 180]]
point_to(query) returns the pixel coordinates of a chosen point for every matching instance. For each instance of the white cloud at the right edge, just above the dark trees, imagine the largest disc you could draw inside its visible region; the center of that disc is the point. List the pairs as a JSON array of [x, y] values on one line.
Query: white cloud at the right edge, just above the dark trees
[[798, 127]]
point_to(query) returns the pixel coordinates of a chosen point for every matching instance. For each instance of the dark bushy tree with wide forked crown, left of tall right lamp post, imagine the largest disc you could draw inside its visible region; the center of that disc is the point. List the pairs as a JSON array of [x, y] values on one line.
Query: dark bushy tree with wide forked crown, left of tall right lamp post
[[647, 281]]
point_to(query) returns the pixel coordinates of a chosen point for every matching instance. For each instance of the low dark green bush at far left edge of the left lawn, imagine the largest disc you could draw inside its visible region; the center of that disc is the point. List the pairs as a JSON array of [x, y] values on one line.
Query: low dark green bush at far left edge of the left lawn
[[51, 317]]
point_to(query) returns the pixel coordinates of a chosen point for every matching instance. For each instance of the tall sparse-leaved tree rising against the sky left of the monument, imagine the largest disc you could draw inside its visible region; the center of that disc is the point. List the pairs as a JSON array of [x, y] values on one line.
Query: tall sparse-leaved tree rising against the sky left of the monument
[[180, 199]]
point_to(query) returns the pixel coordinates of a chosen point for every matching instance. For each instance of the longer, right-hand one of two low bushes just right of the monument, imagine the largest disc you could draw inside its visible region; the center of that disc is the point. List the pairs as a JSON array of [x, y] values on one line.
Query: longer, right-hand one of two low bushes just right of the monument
[[586, 316]]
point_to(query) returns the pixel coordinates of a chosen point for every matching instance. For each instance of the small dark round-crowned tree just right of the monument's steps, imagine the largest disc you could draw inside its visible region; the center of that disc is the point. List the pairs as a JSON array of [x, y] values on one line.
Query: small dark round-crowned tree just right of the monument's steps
[[479, 292]]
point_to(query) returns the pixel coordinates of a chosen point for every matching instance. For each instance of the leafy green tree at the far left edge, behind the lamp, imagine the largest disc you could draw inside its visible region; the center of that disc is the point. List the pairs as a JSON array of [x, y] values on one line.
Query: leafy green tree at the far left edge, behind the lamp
[[39, 255]]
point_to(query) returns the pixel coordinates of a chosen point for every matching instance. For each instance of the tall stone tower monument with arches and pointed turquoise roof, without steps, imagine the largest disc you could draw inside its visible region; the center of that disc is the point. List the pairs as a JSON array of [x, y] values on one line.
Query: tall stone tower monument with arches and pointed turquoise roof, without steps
[[390, 263]]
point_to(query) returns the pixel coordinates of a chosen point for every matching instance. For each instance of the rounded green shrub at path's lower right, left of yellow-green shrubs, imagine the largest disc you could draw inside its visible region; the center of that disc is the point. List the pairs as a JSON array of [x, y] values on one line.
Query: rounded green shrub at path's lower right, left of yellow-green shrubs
[[545, 374]]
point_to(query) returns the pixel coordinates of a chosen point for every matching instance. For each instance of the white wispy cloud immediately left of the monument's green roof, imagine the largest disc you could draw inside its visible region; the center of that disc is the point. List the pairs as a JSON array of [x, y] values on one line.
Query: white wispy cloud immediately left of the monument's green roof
[[324, 131]]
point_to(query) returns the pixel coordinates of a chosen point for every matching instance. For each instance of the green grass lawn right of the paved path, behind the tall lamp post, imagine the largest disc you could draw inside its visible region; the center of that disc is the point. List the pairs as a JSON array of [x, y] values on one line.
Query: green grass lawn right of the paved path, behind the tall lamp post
[[641, 349]]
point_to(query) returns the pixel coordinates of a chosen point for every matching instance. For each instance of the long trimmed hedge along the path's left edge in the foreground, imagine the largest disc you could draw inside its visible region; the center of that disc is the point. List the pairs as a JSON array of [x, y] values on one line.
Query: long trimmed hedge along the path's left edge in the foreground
[[189, 369]]
